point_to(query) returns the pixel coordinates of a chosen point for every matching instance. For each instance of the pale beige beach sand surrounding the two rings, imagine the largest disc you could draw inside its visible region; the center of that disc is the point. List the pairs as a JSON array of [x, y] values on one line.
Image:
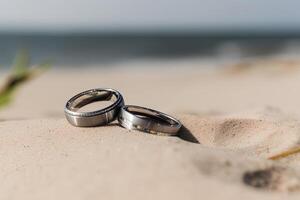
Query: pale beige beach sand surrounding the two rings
[[234, 121]]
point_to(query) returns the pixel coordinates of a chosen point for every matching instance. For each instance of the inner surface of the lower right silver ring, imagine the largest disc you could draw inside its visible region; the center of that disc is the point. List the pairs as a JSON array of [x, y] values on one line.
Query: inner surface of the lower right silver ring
[[151, 115]]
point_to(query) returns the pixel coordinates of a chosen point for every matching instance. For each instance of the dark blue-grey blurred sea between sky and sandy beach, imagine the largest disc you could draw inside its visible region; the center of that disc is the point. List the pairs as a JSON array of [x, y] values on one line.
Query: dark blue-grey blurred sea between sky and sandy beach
[[85, 50]]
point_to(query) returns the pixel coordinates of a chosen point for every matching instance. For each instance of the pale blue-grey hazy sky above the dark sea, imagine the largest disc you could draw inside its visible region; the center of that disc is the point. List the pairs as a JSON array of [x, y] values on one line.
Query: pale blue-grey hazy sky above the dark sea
[[149, 15]]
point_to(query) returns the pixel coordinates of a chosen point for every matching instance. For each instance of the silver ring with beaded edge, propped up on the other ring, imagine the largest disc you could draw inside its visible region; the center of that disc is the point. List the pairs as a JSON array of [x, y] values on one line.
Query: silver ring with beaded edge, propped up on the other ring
[[98, 117]]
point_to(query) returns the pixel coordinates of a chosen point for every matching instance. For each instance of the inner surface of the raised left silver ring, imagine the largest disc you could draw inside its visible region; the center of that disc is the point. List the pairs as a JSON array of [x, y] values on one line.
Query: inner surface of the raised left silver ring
[[91, 97]]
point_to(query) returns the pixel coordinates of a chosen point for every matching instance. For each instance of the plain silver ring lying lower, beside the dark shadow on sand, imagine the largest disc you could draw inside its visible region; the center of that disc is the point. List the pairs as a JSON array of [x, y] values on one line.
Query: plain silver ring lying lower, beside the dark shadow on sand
[[148, 120]]
